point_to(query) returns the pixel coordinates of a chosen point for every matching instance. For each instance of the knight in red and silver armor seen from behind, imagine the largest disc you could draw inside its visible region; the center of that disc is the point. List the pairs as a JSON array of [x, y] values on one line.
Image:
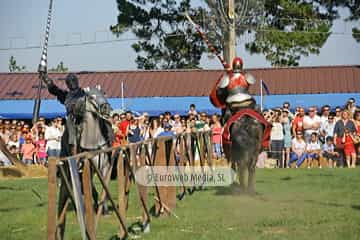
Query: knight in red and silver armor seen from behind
[[231, 91]]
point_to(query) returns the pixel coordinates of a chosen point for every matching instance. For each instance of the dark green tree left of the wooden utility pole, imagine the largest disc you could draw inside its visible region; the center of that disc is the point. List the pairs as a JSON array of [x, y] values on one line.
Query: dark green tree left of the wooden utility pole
[[166, 40]]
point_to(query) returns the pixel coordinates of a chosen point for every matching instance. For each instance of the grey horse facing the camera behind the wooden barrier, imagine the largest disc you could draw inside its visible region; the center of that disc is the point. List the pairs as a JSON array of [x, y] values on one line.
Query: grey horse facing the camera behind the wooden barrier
[[93, 132]]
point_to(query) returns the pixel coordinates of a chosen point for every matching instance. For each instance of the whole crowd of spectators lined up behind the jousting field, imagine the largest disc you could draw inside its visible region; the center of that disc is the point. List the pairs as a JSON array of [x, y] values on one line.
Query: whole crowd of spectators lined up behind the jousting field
[[296, 136]]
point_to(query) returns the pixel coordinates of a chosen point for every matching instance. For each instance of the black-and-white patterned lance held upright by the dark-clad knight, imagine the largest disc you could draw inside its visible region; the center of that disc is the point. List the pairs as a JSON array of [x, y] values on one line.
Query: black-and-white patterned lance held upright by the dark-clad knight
[[42, 69]]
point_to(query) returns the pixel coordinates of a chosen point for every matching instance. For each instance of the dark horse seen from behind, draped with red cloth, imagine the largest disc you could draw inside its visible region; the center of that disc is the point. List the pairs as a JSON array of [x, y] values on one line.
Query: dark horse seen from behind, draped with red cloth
[[243, 138]]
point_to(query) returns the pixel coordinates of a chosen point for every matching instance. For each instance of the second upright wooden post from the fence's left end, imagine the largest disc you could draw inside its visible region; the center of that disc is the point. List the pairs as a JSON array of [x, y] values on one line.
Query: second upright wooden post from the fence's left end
[[89, 208]]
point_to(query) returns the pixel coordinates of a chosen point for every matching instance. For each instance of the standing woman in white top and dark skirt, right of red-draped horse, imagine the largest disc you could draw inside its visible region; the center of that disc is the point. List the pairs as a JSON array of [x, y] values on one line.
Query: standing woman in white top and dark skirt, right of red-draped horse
[[277, 141]]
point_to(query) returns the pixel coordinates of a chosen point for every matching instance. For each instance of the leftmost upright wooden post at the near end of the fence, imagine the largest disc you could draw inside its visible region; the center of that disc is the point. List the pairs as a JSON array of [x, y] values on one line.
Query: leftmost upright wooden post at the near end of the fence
[[51, 227]]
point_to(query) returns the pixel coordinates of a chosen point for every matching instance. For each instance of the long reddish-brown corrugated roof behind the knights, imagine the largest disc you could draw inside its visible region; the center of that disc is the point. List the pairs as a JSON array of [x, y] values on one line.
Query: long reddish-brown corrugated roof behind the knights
[[299, 80]]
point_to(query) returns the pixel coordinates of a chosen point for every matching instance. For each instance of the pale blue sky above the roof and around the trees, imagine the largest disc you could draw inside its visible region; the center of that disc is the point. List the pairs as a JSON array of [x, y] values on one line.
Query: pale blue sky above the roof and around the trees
[[22, 24]]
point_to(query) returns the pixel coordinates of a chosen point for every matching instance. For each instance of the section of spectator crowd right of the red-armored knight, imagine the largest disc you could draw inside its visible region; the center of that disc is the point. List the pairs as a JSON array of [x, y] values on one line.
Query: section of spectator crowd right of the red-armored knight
[[306, 135]]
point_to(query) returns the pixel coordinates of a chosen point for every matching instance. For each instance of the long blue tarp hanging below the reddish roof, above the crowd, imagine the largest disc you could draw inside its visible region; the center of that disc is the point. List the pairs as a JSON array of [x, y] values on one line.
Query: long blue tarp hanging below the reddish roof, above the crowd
[[22, 109]]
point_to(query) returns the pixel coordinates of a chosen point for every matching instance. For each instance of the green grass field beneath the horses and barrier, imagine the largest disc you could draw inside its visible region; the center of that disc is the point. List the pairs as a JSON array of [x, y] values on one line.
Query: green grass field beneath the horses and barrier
[[291, 204]]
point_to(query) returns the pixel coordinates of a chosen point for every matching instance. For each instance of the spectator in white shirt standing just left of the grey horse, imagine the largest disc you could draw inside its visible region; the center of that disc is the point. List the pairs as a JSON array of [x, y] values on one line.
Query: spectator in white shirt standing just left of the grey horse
[[53, 139]]
